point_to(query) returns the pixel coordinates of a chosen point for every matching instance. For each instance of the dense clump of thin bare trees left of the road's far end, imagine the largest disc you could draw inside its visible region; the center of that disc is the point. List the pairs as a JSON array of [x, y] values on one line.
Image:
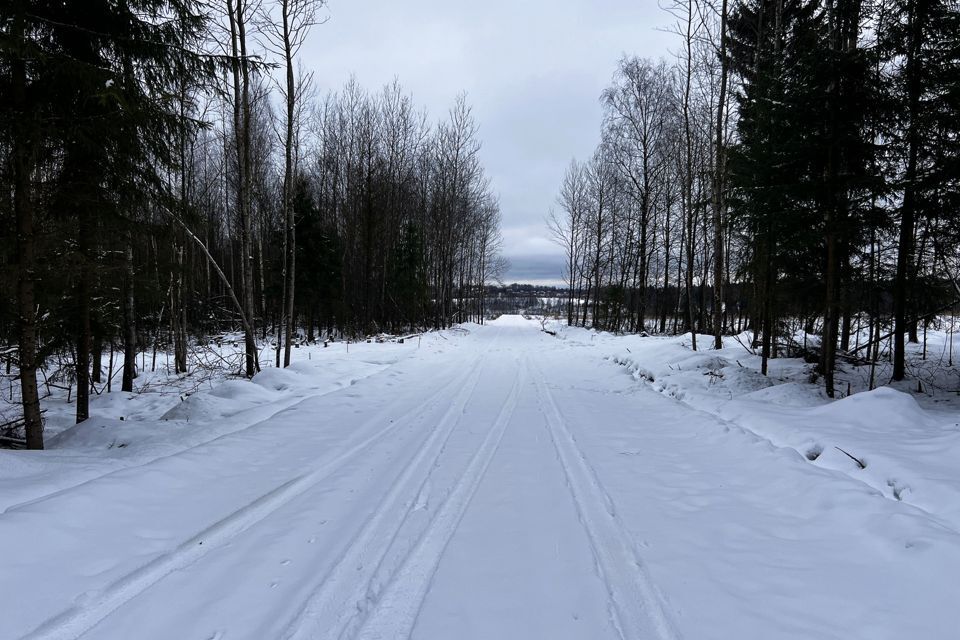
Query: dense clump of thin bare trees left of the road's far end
[[403, 216]]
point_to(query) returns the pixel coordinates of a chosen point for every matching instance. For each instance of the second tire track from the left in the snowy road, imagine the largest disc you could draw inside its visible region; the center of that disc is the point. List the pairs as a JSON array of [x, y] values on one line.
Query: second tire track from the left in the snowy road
[[349, 587]]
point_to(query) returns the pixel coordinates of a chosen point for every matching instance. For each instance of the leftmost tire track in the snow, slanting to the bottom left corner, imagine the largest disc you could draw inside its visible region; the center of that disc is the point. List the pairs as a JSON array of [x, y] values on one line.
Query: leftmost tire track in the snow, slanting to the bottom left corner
[[91, 608]]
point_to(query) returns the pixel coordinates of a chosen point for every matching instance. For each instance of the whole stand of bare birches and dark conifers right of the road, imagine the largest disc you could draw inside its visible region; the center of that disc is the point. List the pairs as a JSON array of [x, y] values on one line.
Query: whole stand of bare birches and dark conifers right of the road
[[797, 160]]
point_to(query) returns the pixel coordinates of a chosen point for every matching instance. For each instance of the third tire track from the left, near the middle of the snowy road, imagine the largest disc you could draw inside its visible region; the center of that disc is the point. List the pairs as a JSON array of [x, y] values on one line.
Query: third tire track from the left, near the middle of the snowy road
[[396, 611]]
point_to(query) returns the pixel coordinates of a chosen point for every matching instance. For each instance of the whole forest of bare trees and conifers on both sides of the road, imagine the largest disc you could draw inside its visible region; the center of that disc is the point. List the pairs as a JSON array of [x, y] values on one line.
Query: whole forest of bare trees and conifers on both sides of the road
[[171, 175]]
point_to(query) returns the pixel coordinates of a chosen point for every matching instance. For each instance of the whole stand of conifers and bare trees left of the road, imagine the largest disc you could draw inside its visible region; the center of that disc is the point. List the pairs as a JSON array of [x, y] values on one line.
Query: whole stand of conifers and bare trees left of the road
[[168, 170]]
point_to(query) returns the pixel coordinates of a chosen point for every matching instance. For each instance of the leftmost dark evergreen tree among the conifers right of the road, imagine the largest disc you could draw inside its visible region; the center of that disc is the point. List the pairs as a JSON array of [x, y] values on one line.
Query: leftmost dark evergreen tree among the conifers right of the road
[[774, 167]]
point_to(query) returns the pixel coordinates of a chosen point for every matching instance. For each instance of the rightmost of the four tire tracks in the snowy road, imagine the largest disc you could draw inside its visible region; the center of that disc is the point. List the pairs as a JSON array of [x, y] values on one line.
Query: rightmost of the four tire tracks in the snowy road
[[636, 606]]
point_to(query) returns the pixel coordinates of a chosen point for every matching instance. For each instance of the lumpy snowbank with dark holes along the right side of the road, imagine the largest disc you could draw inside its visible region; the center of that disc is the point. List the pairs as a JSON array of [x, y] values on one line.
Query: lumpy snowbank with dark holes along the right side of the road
[[884, 438]]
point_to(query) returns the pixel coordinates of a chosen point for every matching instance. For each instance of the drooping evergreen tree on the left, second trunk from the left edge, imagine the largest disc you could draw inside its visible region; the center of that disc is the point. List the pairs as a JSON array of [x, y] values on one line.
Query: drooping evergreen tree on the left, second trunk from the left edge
[[116, 63]]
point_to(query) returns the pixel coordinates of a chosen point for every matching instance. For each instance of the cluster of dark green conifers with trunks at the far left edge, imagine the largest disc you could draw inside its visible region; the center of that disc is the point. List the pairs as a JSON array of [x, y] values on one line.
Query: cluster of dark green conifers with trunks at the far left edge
[[87, 132]]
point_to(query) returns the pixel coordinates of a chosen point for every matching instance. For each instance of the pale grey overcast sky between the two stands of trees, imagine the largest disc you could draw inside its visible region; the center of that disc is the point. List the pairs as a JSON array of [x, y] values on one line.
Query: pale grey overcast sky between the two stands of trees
[[533, 71]]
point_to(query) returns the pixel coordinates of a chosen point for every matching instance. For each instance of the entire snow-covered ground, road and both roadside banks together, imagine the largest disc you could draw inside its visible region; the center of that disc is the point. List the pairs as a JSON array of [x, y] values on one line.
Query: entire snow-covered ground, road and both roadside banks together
[[491, 483]]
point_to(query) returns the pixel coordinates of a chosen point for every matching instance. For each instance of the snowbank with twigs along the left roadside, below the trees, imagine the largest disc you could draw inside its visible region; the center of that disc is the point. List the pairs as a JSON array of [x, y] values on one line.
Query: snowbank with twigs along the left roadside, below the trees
[[167, 413]]
